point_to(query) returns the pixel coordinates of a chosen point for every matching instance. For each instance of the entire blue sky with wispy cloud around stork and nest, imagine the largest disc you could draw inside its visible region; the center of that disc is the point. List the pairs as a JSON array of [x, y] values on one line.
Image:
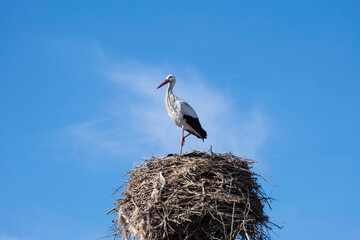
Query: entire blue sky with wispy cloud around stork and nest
[[275, 81]]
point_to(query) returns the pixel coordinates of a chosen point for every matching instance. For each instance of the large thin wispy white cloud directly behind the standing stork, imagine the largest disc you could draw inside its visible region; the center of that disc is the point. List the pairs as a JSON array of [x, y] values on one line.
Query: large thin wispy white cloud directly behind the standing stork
[[135, 118]]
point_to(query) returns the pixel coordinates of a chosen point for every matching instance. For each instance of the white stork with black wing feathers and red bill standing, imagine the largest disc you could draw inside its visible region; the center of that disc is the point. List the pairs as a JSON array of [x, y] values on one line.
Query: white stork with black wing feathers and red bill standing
[[181, 113]]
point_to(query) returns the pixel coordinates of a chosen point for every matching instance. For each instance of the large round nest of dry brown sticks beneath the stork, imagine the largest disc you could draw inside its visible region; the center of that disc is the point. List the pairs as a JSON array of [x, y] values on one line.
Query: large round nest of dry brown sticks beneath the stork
[[197, 196]]
